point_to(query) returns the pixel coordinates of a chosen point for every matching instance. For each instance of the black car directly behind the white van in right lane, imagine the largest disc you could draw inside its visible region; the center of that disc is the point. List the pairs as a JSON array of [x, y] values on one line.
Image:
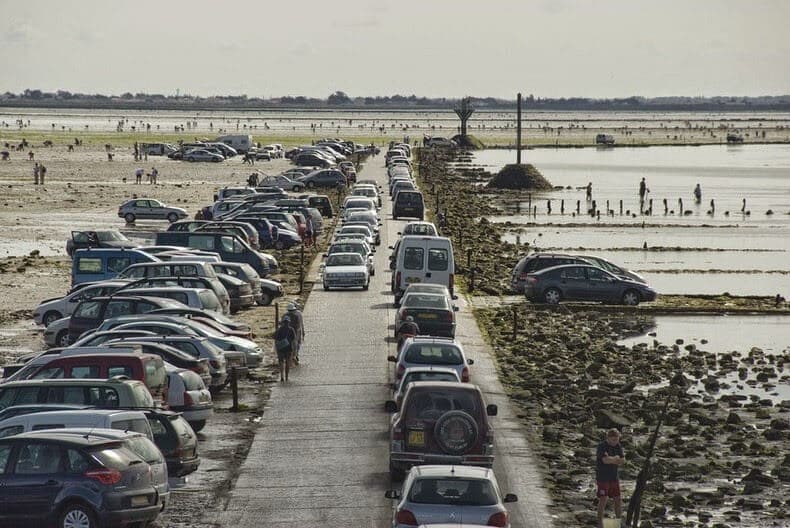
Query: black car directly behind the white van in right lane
[[433, 313]]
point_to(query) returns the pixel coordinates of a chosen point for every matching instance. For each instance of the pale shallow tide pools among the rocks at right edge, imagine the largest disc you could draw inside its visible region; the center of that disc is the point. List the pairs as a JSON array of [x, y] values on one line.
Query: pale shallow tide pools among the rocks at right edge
[[727, 334]]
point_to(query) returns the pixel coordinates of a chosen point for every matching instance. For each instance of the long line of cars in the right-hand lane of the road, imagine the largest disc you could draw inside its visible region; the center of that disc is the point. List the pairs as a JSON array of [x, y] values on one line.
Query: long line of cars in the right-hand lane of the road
[[441, 434]]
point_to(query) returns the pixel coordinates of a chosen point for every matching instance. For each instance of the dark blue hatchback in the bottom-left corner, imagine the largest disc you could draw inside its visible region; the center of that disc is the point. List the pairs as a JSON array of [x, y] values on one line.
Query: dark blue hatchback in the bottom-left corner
[[51, 478]]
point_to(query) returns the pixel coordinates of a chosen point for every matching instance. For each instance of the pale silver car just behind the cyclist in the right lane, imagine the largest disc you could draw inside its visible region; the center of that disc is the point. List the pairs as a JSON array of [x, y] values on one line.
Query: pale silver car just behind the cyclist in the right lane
[[421, 351]]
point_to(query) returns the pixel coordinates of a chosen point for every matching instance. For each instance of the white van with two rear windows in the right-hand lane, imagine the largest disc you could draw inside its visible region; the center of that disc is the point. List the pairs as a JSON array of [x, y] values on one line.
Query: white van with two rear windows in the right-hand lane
[[423, 259]]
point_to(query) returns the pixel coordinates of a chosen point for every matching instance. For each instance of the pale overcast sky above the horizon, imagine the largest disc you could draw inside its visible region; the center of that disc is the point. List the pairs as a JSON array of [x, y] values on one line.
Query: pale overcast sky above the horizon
[[434, 48]]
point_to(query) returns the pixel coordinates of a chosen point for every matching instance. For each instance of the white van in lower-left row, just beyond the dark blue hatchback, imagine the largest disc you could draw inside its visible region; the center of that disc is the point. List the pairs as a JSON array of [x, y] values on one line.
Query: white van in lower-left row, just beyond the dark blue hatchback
[[91, 418]]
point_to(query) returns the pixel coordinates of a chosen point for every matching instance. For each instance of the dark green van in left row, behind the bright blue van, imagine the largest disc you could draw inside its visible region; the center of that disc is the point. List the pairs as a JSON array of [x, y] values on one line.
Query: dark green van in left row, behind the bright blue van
[[230, 248]]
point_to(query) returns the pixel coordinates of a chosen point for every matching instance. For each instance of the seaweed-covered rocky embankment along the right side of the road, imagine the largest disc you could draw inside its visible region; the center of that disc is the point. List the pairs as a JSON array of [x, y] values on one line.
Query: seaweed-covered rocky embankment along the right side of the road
[[722, 457]]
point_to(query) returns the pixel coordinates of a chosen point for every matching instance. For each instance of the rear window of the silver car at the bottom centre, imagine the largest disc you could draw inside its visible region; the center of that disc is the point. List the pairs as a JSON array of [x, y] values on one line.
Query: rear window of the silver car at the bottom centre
[[453, 491]]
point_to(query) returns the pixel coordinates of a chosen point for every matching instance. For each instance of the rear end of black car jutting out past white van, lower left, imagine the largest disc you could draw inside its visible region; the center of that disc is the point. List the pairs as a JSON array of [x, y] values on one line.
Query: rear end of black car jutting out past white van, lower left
[[176, 439]]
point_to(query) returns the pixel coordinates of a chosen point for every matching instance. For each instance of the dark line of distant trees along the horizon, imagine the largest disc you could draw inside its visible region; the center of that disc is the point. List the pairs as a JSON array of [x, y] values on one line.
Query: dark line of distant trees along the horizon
[[341, 100]]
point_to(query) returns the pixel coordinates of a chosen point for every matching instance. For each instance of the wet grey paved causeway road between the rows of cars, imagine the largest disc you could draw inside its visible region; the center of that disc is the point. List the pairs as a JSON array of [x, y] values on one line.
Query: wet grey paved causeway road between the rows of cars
[[321, 457]]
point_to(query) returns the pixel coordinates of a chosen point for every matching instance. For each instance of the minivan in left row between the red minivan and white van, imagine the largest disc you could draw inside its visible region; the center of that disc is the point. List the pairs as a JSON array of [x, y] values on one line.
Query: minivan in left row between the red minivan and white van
[[108, 394]]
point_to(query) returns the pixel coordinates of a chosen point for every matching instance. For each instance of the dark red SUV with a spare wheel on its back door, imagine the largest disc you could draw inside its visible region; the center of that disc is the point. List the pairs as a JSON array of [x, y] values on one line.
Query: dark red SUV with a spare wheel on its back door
[[441, 422]]
